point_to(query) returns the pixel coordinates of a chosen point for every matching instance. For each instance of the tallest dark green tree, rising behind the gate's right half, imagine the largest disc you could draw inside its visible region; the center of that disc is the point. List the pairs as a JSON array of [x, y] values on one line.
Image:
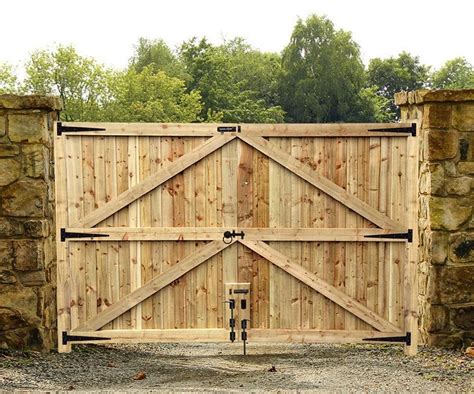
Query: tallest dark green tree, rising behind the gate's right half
[[322, 73]]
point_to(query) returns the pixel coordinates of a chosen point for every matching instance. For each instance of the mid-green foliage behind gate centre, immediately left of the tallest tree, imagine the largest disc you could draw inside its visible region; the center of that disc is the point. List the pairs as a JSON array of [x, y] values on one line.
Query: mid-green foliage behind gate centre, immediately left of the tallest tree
[[237, 84]]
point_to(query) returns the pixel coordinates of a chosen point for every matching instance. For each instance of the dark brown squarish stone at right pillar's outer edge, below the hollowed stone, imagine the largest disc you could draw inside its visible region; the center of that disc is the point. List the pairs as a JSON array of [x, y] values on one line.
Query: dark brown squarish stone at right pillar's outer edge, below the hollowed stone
[[455, 284]]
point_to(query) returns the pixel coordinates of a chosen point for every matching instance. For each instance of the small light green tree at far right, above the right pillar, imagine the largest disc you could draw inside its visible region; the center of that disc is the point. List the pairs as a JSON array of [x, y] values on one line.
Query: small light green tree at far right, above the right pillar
[[457, 73]]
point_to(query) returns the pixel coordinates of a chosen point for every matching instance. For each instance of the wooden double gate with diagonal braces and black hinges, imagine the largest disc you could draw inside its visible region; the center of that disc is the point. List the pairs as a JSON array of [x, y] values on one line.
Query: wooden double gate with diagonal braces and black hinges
[[320, 221]]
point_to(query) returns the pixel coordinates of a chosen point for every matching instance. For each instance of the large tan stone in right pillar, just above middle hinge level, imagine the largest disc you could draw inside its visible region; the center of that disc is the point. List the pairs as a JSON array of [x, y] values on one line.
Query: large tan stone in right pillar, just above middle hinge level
[[449, 213]]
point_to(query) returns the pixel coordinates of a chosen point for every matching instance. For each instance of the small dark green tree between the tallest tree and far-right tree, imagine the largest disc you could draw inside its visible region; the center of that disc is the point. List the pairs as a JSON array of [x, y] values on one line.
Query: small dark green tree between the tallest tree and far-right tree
[[393, 75]]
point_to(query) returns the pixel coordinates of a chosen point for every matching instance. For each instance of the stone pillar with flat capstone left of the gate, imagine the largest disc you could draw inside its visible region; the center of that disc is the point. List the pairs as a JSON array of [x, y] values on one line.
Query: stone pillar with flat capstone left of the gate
[[27, 249]]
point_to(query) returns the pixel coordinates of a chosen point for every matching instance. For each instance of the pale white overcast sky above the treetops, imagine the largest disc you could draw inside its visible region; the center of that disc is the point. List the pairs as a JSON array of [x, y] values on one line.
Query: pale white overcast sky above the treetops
[[107, 30]]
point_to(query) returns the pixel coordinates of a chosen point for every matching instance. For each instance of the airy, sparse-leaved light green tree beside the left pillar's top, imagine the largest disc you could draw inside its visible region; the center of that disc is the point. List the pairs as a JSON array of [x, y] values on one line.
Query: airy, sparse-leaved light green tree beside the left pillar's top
[[81, 82]]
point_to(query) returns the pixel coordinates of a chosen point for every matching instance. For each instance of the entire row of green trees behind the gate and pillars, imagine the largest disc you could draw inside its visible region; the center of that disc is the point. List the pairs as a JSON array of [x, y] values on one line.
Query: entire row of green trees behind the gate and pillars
[[318, 77]]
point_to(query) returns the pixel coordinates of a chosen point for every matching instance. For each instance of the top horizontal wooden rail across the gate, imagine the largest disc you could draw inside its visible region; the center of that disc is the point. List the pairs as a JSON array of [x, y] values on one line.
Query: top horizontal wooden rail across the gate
[[261, 130]]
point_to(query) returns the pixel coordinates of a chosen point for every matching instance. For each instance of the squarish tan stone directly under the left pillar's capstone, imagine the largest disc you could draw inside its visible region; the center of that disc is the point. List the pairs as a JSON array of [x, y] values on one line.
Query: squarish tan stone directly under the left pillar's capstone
[[27, 127]]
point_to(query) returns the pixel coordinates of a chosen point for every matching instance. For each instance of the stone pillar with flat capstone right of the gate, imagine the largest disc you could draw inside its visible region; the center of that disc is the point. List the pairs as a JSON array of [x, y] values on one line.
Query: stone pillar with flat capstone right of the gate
[[446, 266]]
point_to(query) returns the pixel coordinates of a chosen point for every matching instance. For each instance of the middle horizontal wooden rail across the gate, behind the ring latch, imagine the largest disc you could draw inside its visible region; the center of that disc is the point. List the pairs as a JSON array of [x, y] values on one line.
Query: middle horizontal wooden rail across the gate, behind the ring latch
[[216, 233]]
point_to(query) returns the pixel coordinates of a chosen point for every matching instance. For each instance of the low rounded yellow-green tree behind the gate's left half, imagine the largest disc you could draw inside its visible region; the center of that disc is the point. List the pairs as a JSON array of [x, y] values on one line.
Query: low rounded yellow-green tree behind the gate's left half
[[147, 96]]
